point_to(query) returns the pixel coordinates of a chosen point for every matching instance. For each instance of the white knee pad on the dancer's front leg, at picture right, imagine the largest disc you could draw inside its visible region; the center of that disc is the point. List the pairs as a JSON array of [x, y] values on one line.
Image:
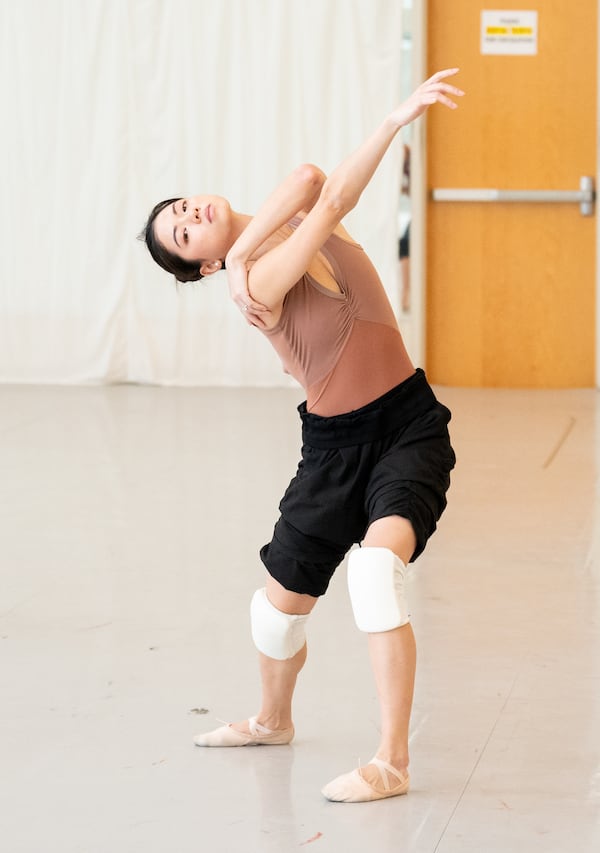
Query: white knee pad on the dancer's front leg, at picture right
[[376, 585]]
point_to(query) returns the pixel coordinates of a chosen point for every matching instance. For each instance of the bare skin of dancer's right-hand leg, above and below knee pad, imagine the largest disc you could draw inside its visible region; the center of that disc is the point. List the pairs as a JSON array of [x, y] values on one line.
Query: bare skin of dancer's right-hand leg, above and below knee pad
[[393, 659]]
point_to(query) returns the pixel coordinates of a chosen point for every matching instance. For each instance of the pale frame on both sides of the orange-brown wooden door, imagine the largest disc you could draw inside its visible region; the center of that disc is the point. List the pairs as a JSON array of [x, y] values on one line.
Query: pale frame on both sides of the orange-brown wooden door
[[418, 237]]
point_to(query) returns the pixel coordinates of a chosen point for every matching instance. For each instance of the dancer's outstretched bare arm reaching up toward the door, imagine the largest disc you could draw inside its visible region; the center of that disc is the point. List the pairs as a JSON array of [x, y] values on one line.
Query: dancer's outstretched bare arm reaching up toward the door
[[276, 271]]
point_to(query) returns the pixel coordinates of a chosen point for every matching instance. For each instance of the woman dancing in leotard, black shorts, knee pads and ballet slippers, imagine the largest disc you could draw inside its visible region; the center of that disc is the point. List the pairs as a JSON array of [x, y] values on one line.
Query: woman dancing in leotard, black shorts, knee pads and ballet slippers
[[376, 455]]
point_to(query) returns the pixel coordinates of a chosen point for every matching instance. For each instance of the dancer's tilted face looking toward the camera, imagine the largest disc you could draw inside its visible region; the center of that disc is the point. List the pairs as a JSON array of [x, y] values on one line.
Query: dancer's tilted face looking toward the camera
[[196, 228]]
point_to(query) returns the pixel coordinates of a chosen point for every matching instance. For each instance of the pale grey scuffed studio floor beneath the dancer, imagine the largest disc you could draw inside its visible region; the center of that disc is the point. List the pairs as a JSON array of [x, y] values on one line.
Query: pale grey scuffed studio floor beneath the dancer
[[131, 518]]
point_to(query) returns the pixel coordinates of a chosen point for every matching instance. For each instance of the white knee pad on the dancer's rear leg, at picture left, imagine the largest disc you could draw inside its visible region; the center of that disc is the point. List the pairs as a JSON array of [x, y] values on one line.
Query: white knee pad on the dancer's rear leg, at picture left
[[276, 634]]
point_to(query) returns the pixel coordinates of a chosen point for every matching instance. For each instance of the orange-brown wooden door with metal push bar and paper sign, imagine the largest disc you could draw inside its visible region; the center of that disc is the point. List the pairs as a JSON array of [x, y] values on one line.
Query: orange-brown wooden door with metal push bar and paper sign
[[510, 291]]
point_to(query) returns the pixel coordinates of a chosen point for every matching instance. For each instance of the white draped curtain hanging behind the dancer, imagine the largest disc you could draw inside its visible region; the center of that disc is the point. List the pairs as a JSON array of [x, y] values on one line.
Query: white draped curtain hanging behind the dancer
[[112, 105]]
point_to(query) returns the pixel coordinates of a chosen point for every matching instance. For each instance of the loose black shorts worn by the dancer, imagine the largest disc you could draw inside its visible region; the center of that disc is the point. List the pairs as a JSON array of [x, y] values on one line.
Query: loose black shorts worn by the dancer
[[391, 457]]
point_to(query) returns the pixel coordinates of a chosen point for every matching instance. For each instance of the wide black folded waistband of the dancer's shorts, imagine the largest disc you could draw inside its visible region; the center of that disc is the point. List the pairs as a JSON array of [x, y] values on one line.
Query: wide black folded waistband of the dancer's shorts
[[394, 409]]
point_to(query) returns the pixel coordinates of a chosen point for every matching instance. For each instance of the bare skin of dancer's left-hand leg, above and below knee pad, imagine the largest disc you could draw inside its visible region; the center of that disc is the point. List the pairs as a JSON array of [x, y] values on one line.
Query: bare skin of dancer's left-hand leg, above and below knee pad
[[278, 677]]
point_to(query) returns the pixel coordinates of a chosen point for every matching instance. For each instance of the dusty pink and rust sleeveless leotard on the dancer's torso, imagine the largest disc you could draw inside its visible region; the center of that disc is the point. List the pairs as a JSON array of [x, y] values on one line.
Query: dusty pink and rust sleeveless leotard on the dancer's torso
[[345, 348]]
